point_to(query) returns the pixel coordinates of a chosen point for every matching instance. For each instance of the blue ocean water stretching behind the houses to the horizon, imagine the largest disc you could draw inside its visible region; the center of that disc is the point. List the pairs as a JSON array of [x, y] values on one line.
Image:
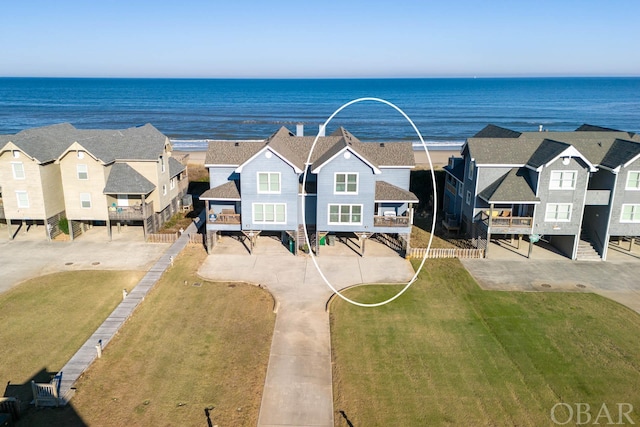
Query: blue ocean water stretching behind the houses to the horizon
[[446, 111]]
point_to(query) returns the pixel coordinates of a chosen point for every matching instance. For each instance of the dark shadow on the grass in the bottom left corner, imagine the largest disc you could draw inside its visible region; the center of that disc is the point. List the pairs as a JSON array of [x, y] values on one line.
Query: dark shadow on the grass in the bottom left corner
[[28, 415]]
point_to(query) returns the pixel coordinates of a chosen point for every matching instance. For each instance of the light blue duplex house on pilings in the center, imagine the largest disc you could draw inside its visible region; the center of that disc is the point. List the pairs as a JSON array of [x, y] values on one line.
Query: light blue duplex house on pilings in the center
[[351, 188]]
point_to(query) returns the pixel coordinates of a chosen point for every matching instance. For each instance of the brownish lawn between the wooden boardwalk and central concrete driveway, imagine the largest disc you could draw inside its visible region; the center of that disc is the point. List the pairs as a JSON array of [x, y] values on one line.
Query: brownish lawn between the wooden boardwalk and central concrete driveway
[[186, 349]]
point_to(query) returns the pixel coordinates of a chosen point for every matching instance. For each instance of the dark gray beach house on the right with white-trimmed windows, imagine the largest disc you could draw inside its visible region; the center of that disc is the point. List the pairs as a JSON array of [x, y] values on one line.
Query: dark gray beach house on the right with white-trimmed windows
[[577, 190]]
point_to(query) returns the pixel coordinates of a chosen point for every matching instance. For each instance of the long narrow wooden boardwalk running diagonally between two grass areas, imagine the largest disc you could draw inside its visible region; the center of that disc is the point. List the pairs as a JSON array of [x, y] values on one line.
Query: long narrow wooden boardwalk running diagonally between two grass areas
[[85, 356]]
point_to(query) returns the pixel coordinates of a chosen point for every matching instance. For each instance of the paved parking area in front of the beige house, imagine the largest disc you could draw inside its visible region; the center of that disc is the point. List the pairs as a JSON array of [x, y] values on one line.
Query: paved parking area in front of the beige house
[[30, 255]]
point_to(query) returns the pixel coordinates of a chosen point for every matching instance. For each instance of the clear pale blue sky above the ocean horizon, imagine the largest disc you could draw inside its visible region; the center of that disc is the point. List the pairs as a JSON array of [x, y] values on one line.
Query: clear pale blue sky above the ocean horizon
[[287, 38]]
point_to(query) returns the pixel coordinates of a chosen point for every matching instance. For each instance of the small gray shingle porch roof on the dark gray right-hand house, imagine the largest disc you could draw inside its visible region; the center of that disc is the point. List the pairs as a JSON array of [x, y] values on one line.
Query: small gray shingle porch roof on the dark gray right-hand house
[[511, 187]]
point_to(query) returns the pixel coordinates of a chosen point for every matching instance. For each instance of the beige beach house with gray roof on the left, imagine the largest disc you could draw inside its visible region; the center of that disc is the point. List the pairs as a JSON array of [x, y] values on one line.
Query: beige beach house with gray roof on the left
[[89, 177]]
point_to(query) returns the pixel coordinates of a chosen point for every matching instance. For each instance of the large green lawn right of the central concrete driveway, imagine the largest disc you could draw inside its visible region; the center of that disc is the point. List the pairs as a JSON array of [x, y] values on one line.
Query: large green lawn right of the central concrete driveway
[[448, 353]]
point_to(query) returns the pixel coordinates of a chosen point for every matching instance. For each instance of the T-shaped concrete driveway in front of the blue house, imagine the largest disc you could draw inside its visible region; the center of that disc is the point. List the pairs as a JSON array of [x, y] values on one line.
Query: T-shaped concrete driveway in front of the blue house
[[298, 387]]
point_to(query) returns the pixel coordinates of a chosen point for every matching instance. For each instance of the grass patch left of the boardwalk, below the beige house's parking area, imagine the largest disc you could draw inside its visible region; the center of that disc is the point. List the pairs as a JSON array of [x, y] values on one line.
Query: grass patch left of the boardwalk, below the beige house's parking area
[[47, 319]]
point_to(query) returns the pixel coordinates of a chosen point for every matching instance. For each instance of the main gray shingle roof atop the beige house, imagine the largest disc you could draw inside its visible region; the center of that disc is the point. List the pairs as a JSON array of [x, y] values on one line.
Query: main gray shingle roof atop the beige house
[[47, 143]]
